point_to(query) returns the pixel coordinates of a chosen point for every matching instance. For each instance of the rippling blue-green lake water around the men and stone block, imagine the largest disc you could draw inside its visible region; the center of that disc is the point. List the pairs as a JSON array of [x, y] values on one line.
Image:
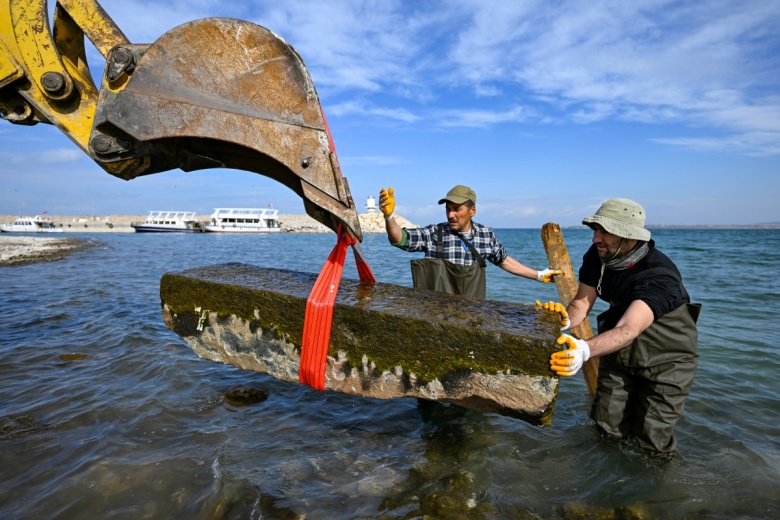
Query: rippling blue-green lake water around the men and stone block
[[104, 413]]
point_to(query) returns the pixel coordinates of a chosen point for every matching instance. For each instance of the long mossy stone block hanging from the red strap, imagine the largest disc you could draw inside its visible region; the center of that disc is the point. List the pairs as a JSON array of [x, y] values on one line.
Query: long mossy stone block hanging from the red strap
[[387, 341]]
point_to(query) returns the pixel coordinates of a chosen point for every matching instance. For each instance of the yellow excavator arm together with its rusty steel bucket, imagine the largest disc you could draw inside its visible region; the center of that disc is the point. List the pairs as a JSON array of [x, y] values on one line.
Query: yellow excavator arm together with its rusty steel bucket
[[211, 93]]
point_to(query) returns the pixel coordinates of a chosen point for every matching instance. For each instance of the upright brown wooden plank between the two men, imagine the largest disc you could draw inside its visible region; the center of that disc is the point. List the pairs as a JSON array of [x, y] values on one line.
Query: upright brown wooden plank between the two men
[[558, 258]]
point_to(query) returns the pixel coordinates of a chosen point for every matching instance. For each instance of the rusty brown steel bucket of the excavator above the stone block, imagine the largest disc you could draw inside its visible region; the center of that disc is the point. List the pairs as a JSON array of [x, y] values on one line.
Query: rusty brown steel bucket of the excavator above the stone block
[[221, 93]]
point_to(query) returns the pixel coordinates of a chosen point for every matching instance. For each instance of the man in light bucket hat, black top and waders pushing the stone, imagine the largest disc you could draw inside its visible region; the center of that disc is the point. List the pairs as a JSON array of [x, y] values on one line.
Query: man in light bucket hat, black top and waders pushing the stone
[[647, 339]]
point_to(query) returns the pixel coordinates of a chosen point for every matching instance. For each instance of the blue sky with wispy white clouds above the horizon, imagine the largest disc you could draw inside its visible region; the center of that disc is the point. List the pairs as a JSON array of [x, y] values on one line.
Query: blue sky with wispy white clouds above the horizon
[[545, 108]]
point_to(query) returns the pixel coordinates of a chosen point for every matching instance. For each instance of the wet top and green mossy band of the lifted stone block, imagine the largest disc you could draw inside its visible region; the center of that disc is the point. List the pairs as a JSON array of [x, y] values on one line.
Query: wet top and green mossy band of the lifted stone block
[[427, 333]]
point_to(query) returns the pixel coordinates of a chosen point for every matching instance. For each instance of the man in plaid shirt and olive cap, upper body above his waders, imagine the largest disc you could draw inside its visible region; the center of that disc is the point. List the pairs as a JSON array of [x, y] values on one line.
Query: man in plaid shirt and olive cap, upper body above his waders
[[457, 235]]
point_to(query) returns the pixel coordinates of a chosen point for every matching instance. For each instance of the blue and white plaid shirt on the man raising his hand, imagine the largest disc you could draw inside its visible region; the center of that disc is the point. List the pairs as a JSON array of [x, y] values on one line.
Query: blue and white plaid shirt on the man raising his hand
[[454, 250]]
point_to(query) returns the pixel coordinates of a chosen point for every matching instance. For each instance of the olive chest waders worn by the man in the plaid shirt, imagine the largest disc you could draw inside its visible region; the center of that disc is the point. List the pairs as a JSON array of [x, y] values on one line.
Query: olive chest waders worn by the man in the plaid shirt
[[437, 274]]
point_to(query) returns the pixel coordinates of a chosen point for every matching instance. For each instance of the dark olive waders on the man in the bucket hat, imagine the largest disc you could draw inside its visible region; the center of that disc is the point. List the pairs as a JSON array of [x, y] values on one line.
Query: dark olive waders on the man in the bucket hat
[[642, 387]]
